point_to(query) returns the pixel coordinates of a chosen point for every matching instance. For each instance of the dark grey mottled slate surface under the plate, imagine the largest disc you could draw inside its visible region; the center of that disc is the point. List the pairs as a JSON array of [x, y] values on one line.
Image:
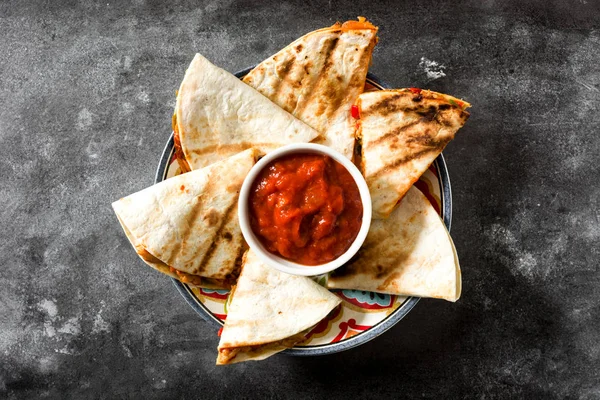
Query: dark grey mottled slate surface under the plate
[[86, 92]]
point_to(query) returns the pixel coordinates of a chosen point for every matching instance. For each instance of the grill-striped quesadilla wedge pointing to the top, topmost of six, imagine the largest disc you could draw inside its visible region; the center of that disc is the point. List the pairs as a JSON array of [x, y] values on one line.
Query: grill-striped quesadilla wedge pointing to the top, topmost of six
[[318, 77]]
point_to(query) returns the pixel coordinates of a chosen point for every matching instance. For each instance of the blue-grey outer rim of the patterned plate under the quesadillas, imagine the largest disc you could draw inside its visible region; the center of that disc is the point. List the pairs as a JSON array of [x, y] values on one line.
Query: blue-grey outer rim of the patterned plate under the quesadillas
[[354, 341]]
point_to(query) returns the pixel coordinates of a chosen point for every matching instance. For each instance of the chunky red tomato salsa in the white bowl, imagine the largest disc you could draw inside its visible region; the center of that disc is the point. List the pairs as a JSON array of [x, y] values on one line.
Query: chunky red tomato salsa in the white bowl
[[306, 208]]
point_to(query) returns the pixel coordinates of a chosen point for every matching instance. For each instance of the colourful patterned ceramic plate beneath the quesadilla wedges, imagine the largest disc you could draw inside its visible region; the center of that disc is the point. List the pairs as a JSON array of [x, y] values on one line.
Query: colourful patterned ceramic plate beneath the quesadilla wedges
[[362, 316]]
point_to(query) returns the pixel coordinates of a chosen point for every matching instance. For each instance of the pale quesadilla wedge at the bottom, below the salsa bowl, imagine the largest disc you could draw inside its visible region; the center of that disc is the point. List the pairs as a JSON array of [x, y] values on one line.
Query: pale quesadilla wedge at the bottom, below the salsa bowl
[[269, 312]]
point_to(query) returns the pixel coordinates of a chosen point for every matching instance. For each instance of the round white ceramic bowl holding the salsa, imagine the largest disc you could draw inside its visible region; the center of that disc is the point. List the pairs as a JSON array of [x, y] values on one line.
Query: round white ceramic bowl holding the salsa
[[281, 263]]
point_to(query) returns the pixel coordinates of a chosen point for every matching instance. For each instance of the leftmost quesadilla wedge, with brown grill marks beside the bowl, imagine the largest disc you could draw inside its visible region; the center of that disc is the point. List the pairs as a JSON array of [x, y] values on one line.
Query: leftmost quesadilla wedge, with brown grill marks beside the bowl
[[187, 226]]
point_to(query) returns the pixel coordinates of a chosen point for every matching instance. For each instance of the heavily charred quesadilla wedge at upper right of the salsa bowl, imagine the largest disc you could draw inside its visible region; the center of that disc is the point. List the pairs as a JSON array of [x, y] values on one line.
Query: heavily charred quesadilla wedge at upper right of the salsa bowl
[[402, 132]]
